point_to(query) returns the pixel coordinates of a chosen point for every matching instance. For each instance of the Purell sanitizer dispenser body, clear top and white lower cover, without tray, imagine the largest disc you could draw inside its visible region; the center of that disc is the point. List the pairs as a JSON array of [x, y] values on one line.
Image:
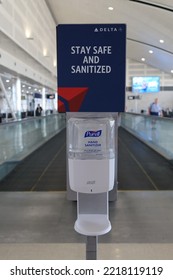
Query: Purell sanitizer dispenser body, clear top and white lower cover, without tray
[[91, 154]]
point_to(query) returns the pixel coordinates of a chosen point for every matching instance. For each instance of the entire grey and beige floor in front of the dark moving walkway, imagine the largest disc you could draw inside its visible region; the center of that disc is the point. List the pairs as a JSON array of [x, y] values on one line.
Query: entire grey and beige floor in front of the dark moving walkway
[[40, 226]]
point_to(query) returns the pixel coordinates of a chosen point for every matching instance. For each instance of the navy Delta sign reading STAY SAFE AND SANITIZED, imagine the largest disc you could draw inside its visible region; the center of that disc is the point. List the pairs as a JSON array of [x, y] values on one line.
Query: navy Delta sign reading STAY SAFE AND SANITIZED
[[91, 62]]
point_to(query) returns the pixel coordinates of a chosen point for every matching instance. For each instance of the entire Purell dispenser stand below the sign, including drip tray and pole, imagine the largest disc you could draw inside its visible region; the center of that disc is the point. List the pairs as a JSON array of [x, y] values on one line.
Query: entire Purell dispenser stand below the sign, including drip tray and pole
[[91, 171]]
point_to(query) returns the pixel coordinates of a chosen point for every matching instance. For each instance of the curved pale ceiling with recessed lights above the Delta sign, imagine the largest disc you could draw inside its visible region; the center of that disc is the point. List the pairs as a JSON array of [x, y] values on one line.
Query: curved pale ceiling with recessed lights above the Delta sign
[[148, 22]]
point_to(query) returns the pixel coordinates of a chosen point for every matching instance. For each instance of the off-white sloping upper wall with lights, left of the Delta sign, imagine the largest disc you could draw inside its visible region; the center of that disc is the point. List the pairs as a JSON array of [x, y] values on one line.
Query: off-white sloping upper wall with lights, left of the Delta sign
[[25, 56]]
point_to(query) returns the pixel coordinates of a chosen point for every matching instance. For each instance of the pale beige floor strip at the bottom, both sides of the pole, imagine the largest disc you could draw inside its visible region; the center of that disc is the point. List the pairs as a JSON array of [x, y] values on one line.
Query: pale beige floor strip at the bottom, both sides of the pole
[[77, 251]]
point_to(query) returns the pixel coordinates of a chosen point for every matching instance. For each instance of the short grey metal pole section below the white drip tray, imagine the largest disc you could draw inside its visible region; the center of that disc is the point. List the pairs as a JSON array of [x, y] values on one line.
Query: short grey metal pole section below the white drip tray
[[91, 247]]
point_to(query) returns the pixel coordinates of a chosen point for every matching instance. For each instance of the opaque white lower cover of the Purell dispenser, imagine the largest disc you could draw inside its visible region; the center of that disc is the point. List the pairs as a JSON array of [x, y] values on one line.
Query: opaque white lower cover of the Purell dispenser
[[89, 176]]
